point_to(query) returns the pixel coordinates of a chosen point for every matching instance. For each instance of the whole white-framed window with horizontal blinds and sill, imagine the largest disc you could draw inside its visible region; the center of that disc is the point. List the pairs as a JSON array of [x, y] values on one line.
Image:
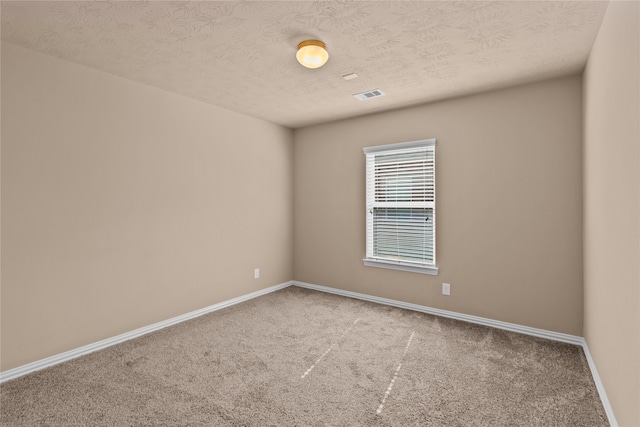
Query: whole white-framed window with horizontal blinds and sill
[[401, 206]]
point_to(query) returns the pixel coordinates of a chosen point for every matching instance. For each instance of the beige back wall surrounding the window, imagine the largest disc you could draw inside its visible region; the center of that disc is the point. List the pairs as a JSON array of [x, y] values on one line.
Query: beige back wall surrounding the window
[[509, 204]]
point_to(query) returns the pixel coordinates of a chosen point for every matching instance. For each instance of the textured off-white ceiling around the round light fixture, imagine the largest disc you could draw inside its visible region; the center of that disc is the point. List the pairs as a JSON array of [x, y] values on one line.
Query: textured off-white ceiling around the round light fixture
[[240, 55]]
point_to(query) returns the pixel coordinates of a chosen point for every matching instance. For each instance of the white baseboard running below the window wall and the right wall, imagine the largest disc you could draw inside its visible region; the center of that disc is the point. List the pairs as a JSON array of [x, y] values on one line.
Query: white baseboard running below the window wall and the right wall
[[526, 330]]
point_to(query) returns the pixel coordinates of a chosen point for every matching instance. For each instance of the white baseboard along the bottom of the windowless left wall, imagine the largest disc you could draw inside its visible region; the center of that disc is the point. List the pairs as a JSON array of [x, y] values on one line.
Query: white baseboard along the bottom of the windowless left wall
[[72, 354]]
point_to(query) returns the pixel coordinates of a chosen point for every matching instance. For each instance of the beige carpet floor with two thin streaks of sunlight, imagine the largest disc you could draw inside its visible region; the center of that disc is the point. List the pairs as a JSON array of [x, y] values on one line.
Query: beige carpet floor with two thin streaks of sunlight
[[298, 357]]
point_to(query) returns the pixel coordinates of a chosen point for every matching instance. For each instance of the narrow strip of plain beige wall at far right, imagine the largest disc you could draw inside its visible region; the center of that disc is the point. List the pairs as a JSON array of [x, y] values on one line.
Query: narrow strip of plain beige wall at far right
[[612, 208]]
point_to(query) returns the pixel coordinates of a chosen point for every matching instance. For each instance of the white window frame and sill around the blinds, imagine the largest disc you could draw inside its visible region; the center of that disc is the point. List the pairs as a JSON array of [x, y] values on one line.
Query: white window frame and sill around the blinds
[[370, 260]]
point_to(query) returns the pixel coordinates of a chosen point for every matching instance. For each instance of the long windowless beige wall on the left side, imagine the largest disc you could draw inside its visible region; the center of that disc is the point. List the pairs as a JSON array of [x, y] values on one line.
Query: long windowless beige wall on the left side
[[124, 205]]
